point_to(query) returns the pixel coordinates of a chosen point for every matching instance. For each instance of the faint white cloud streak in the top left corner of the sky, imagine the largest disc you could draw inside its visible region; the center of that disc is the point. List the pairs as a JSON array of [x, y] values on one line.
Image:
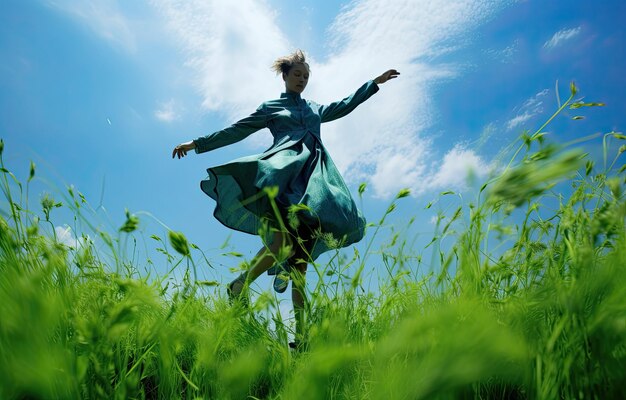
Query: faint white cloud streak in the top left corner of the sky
[[103, 17]]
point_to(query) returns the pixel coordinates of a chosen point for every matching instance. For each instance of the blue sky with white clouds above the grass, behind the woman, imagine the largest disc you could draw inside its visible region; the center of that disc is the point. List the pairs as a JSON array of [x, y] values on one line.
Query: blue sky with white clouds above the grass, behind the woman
[[97, 93]]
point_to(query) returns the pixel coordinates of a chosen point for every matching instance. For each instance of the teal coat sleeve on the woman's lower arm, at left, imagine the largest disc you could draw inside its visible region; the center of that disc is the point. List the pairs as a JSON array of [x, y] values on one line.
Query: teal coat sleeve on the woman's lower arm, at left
[[234, 133]]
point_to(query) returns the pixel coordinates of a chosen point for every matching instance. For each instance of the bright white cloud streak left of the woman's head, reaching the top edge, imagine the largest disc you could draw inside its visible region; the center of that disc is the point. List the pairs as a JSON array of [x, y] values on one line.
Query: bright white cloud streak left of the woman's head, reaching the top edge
[[230, 47]]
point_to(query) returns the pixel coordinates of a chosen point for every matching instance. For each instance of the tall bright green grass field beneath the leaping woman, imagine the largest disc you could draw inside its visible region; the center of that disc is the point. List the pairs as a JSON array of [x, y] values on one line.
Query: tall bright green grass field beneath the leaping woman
[[534, 309]]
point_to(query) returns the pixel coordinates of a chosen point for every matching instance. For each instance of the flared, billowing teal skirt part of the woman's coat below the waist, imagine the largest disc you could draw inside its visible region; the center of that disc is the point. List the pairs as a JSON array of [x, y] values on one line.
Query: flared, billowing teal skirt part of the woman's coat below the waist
[[303, 174]]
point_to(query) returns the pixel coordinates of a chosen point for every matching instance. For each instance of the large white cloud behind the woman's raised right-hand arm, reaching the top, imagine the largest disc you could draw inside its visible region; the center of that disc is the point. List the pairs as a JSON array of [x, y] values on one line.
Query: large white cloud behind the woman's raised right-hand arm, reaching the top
[[388, 134]]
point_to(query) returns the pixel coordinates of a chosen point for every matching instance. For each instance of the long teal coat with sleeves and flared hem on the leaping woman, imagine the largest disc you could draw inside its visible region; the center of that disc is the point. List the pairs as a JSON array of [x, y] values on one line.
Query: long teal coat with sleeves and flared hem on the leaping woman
[[297, 164]]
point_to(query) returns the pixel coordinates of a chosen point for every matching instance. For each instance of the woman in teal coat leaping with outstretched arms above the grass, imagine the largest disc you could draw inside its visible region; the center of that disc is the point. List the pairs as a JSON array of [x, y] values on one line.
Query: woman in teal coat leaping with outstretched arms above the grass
[[292, 194]]
